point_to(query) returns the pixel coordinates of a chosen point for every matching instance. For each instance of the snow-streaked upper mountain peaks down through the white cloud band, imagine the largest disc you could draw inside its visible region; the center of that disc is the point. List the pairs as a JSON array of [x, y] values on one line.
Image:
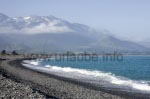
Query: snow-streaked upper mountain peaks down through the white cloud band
[[38, 24]]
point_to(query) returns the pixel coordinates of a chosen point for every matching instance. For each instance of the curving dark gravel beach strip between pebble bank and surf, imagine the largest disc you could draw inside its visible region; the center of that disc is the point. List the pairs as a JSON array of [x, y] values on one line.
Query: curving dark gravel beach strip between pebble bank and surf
[[59, 87]]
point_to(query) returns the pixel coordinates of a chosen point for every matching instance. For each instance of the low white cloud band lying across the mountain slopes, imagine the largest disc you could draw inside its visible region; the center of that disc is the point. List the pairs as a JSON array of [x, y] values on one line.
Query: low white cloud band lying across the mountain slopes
[[42, 28]]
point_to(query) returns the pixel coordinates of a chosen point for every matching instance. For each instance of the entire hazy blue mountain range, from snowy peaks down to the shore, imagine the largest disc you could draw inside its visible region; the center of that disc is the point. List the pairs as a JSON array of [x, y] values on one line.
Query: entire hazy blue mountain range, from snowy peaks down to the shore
[[51, 34]]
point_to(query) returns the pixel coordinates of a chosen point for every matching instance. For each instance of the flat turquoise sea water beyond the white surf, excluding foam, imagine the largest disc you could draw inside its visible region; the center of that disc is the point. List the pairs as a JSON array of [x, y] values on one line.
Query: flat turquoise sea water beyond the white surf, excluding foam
[[133, 67]]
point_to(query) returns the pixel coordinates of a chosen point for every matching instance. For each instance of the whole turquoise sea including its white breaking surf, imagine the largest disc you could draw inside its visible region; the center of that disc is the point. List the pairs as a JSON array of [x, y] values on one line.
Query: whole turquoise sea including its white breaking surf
[[130, 74]]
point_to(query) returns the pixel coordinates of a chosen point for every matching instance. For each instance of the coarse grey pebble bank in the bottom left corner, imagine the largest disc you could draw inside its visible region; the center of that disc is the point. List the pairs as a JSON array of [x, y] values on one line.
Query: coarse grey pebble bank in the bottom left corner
[[13, 90]]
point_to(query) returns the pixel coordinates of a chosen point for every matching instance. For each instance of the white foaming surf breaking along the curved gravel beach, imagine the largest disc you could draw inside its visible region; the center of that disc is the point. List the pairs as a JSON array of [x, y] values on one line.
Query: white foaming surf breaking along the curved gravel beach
[[92, 75]]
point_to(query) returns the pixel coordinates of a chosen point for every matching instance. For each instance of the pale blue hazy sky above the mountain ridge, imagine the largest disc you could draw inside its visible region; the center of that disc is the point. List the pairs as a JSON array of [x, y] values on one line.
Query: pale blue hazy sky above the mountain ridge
[[127, 19]]
